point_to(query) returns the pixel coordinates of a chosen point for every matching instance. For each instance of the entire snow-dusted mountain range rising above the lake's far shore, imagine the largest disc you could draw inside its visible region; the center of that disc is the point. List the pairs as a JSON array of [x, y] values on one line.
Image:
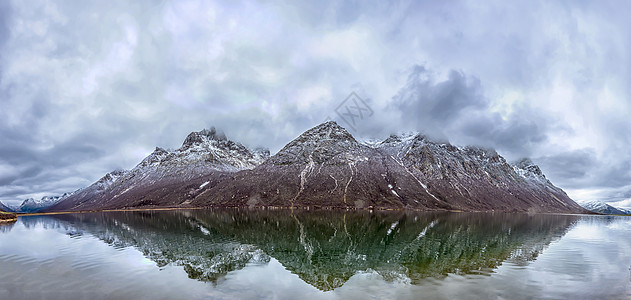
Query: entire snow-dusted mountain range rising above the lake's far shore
[[326, 167]]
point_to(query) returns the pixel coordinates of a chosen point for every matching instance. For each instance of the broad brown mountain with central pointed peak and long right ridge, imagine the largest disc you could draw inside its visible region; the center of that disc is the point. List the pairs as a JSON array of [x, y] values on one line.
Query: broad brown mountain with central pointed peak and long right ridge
[[327, 167]]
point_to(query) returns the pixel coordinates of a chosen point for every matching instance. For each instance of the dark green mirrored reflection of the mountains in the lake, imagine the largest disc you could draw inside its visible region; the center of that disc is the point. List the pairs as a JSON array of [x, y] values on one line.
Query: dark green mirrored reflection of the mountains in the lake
[[326, 248]]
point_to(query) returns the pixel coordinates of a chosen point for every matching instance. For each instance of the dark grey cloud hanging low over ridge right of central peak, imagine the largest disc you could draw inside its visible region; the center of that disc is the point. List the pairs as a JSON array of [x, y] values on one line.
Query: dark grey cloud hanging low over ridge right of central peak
[[457, 107]]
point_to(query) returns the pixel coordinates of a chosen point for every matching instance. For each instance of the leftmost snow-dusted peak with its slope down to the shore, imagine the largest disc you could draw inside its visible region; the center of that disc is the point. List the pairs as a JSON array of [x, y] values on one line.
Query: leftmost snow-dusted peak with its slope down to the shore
[[167, 178]]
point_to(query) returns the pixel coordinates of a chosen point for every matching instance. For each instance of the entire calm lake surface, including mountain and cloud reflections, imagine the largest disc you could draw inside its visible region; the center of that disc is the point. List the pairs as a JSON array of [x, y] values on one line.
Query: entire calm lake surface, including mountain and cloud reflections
[[232, 254]]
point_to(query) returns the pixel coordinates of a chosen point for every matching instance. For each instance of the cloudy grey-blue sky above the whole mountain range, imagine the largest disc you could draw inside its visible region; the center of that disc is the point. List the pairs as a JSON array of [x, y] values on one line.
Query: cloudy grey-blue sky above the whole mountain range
[[91, 86]]
